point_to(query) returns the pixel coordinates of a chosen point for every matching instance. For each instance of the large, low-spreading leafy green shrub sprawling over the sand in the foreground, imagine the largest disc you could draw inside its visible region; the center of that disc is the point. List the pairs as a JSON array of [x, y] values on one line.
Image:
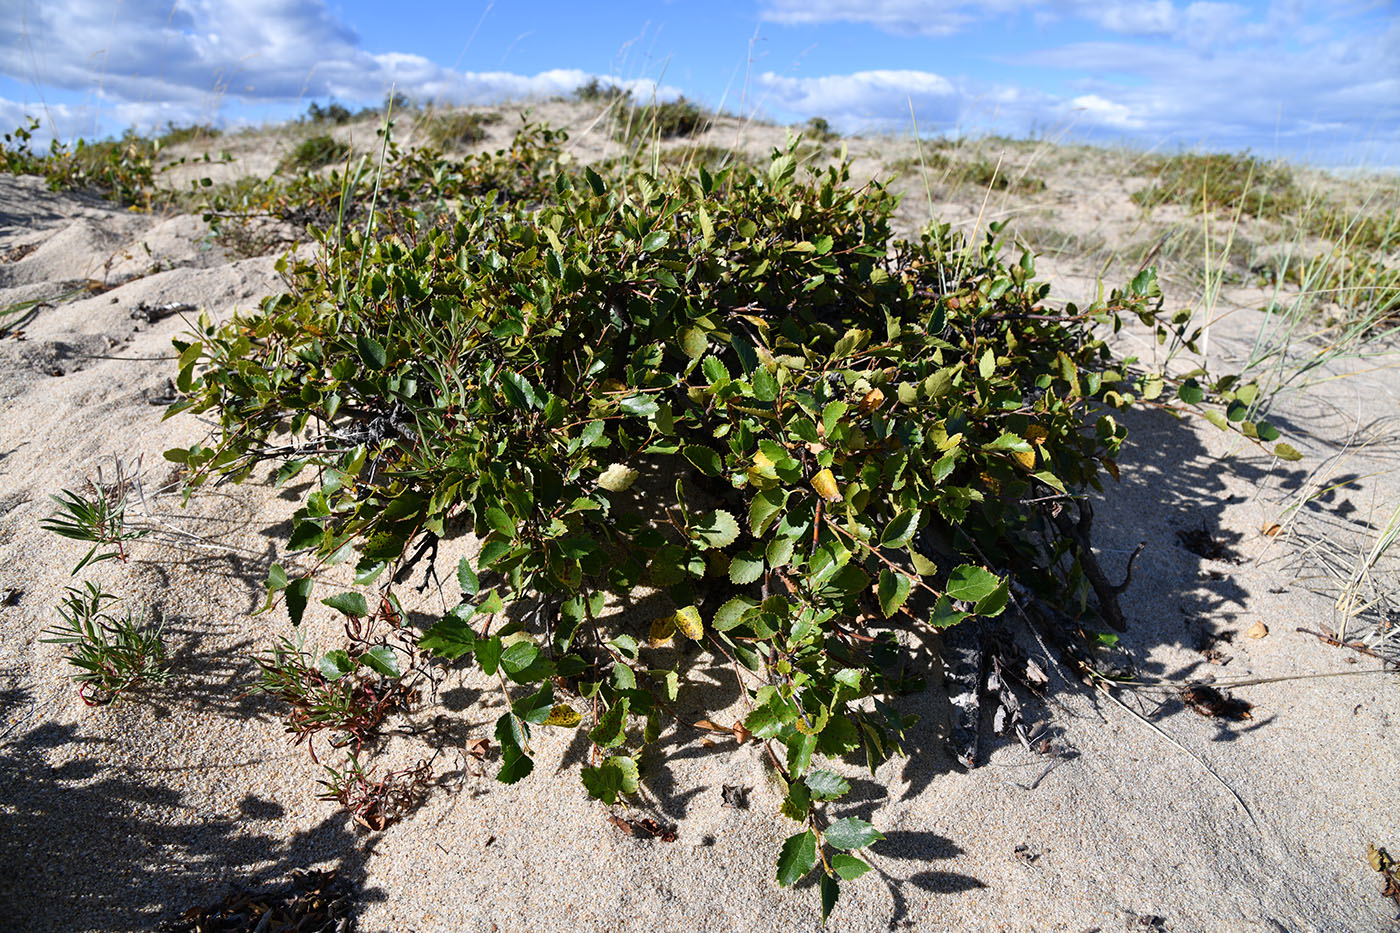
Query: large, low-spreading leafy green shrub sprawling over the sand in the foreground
[[737, 392]]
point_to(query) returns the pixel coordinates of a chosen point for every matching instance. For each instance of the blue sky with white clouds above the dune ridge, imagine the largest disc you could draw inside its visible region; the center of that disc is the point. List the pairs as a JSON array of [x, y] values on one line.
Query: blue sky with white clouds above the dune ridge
[[1311, 81]]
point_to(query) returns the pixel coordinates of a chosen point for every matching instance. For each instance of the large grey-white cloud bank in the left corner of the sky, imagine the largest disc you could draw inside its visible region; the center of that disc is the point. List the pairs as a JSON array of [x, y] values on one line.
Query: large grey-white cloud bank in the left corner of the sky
[[145, 62]]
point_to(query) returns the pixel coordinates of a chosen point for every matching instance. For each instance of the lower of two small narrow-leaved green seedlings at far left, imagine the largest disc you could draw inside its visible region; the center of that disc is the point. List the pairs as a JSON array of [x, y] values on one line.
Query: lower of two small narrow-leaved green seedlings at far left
[[113, 654]]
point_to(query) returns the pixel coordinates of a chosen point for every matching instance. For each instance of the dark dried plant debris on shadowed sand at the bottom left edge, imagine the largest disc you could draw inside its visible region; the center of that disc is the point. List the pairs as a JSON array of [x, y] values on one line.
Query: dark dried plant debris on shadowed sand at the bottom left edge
[[314, 903]]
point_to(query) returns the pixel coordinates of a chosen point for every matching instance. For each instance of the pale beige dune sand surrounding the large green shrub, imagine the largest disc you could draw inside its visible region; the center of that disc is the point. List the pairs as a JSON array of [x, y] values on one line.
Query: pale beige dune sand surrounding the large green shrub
[[120, 819]]
